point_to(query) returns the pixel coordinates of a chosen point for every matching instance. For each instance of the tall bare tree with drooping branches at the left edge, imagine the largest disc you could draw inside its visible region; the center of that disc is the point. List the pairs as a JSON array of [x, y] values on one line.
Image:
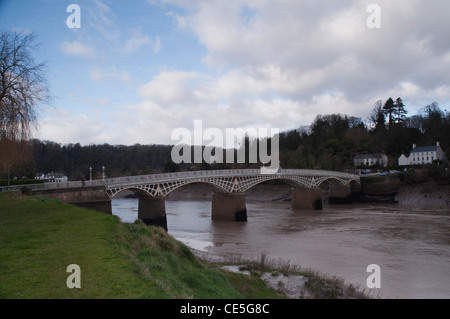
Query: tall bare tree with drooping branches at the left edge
[[22, 88]]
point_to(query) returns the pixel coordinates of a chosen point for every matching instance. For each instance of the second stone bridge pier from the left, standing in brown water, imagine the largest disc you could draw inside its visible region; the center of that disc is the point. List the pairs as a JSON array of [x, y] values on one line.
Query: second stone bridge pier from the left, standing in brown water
[[229, 207]]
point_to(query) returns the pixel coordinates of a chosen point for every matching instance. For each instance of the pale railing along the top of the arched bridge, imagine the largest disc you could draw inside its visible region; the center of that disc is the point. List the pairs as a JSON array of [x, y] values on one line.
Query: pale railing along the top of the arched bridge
[[168, 177]]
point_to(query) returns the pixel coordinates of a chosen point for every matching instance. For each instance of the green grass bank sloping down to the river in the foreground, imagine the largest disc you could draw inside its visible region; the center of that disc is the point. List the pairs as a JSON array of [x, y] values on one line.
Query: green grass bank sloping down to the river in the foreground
[[39, 238]]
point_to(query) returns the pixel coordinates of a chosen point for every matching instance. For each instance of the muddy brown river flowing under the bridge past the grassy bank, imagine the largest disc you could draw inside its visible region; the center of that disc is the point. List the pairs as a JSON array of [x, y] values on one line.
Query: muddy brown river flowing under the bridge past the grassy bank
[[410, 244]]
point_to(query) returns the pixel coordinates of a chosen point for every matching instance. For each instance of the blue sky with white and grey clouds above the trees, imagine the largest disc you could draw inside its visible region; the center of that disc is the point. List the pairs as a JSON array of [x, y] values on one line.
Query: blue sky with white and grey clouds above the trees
[[135, 71]]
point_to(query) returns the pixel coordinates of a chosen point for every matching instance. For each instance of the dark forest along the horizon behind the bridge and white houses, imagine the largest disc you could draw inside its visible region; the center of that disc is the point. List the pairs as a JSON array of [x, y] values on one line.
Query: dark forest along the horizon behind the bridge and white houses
[[330, 142]]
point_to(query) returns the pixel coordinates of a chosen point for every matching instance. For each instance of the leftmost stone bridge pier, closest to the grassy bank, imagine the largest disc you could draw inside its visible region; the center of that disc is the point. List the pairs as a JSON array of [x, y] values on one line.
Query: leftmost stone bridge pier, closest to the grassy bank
[[152, 211]]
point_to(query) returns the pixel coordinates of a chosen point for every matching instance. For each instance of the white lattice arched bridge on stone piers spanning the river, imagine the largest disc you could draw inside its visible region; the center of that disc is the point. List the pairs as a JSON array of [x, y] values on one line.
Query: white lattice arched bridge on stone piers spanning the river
[[228, 186]]
